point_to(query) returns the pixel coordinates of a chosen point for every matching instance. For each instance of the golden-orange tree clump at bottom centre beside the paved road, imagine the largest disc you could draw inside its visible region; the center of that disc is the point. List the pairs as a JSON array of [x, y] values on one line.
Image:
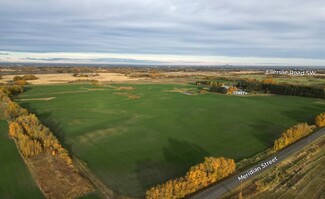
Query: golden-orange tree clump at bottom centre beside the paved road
[[199, 176]]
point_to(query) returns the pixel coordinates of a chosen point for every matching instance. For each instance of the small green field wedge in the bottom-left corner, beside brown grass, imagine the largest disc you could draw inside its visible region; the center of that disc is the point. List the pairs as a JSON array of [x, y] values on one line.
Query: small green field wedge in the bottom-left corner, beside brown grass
[[16, 181]]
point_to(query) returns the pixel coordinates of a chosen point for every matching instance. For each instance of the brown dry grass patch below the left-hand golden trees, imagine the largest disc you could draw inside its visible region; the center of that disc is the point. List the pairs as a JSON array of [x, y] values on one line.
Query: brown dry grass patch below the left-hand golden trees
[[56, 179]]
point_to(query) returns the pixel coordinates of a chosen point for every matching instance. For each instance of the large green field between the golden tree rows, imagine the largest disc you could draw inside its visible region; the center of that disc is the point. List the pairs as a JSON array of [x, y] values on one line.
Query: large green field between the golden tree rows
[[133, 144]]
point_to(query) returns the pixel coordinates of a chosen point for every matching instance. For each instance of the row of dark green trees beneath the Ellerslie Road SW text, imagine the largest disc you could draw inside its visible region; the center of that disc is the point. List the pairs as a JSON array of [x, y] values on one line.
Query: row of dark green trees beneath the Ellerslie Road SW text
[[281, 89]]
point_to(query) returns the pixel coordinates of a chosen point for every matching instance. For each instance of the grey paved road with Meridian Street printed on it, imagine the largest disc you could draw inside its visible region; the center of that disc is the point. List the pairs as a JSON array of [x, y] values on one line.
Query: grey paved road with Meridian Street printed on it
[[217, 190]]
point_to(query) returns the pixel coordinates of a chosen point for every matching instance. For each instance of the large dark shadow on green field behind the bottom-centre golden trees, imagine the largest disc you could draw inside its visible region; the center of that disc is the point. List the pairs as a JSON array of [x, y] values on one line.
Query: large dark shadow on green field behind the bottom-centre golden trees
[[179, 156]]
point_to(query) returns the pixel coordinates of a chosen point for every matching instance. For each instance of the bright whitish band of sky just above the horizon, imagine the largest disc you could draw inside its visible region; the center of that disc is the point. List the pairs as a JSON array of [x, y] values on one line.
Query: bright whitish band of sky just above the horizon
[[154, 59]]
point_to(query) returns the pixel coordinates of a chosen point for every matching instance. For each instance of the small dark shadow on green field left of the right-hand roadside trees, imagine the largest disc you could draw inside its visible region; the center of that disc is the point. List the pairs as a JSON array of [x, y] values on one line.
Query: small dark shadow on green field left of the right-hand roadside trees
[[267, 131]]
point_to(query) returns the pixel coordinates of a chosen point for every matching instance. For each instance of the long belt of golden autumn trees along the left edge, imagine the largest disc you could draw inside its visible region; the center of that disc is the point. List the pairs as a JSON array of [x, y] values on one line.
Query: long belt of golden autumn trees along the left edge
[[31, 135]]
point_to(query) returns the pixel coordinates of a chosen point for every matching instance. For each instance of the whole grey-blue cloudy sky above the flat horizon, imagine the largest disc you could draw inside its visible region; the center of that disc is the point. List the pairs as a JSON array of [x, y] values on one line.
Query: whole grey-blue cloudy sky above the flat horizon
[[268, 32]]
